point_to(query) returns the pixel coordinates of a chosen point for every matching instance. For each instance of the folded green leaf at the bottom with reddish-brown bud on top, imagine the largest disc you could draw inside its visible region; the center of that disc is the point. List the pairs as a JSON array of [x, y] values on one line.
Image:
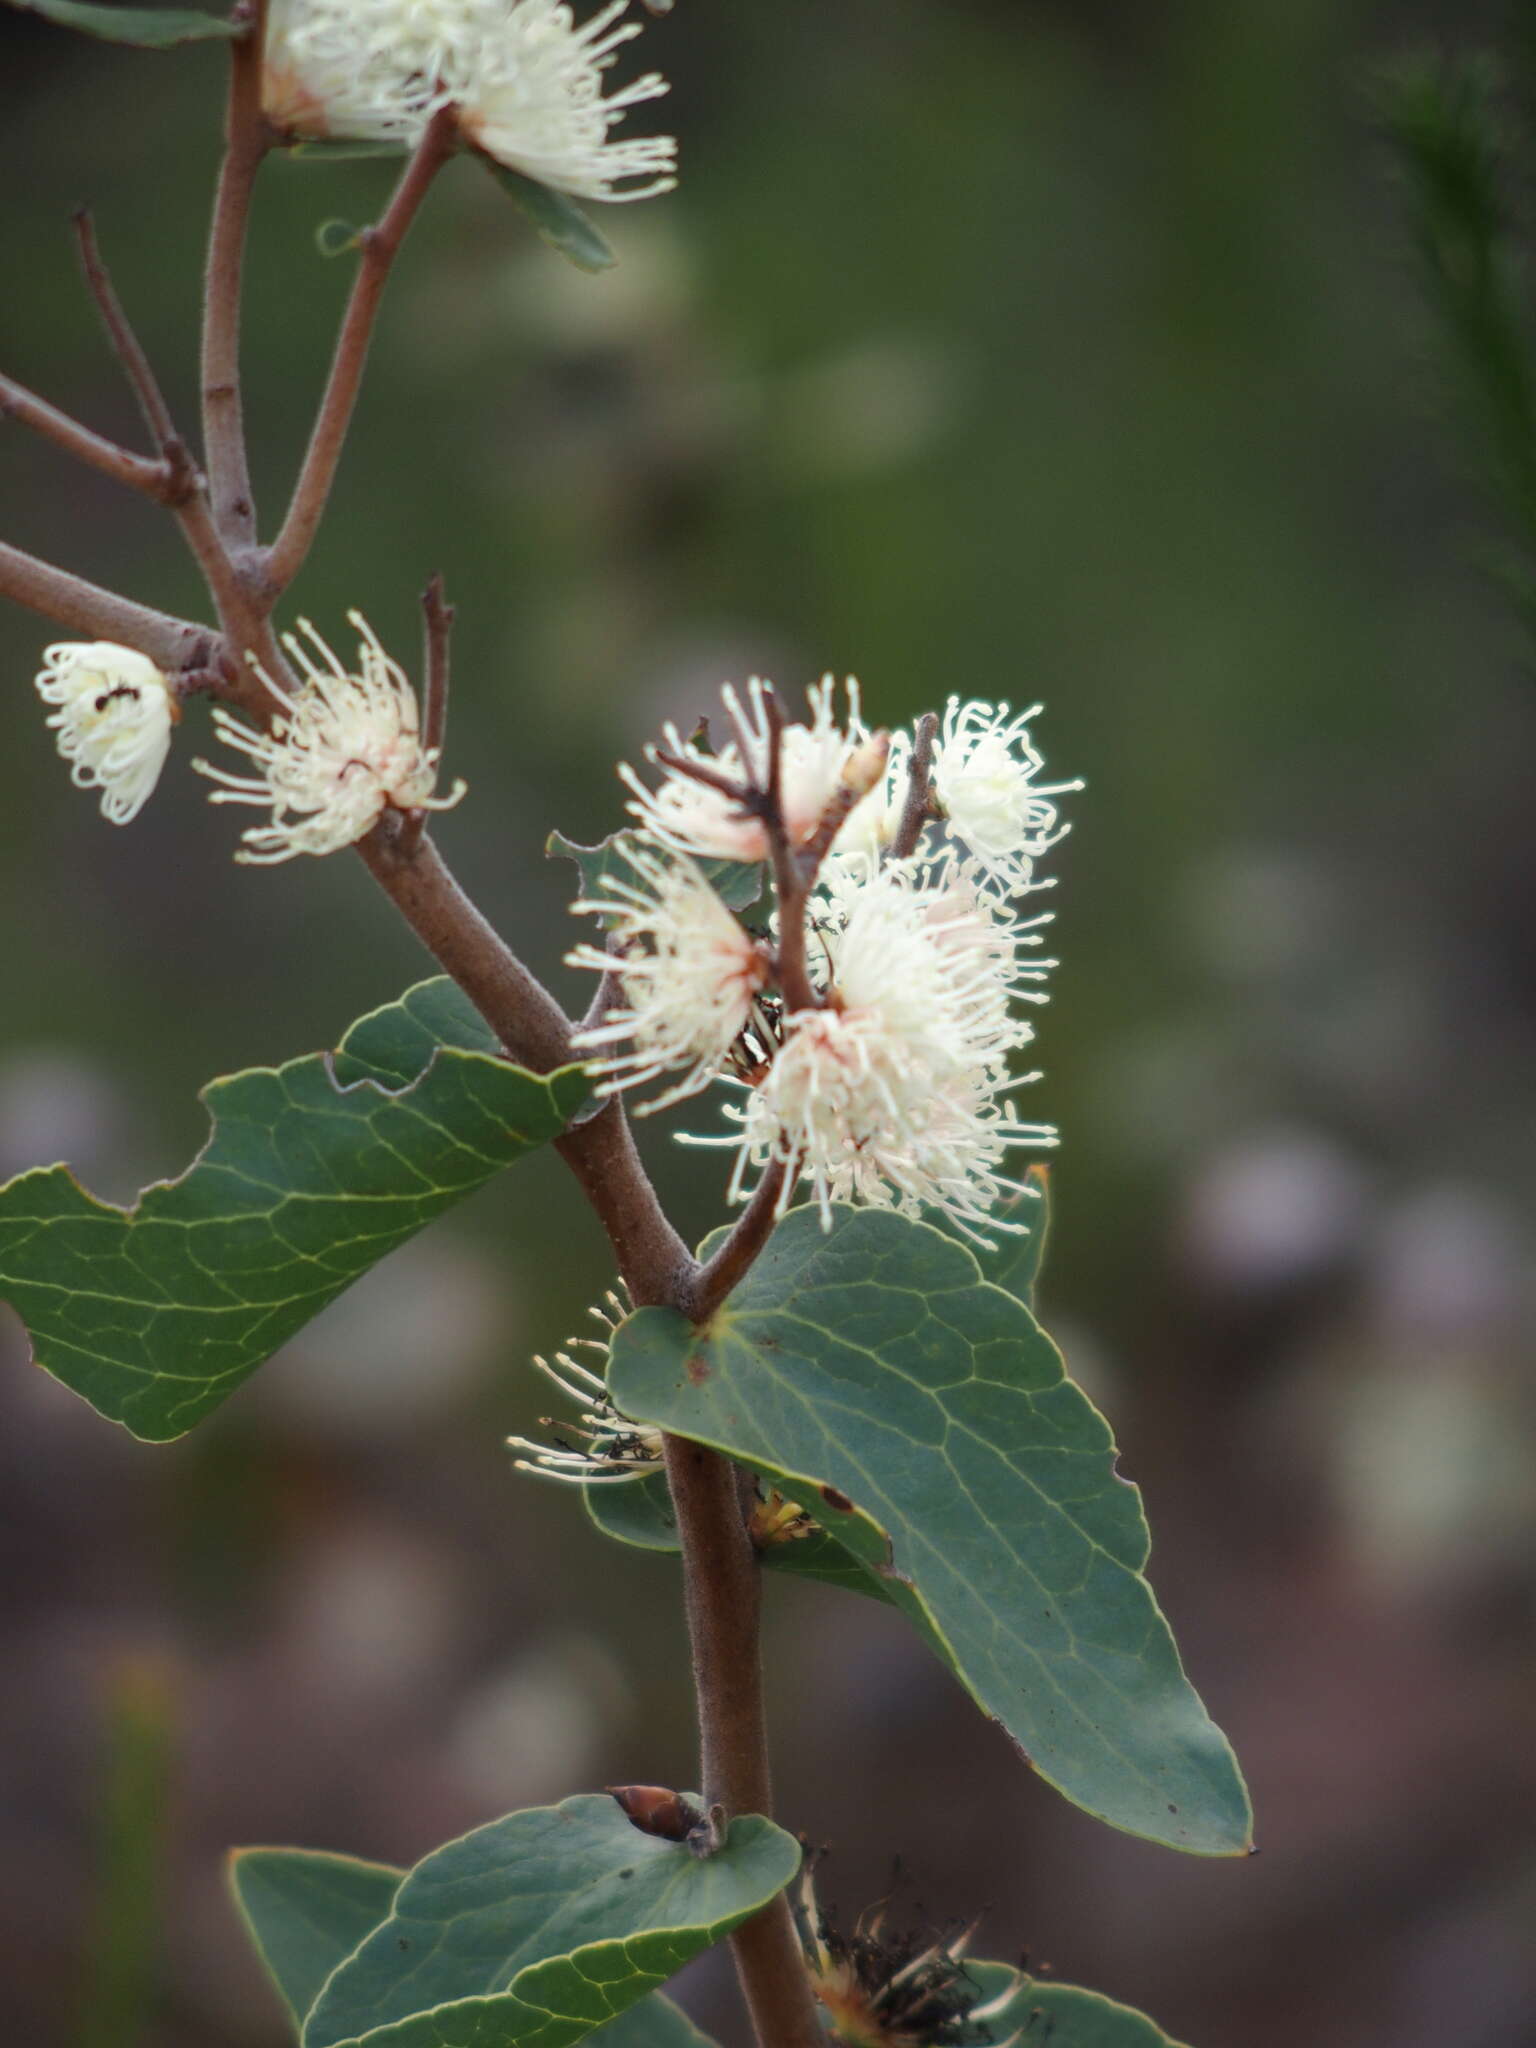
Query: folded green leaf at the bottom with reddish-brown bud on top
[[544, 1926]]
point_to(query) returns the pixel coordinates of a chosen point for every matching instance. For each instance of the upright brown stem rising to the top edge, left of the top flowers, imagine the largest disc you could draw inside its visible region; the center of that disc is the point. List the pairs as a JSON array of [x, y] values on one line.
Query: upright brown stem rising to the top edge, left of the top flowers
[[224, 435]]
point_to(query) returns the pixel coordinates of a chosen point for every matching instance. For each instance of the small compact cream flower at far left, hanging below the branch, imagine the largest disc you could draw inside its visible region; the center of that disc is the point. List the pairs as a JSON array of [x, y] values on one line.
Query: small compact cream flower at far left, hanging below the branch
[[114, 718]]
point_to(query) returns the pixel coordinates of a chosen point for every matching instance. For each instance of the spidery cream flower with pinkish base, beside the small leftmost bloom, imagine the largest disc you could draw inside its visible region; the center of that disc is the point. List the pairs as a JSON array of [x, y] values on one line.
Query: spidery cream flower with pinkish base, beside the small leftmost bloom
[[343, 751]]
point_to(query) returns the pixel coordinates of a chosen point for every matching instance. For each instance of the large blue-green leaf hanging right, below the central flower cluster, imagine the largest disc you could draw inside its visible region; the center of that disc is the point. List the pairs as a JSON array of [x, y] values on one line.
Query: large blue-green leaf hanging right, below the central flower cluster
[[923, 1414]]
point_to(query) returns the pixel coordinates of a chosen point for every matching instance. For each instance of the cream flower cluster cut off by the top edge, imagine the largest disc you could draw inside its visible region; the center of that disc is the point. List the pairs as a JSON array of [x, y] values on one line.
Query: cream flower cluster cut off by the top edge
[[527, 85]]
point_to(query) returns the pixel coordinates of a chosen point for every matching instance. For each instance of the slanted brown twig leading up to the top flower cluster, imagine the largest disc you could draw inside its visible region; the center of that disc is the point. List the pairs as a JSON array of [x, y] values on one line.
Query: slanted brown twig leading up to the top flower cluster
[[378, 255]]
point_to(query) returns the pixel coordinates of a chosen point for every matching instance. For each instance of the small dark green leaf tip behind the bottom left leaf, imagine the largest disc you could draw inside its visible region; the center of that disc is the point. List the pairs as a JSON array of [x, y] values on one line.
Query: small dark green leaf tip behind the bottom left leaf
[[306, 1912]]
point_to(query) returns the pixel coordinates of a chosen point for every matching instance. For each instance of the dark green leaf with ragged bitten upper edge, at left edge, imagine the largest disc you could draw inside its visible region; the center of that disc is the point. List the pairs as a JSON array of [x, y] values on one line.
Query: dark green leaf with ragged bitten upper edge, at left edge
[[310, 1177]]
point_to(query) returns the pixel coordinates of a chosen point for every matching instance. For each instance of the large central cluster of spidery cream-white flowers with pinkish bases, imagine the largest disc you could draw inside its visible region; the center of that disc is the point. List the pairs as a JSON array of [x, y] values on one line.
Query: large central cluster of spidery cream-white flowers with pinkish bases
[[884, 1070]]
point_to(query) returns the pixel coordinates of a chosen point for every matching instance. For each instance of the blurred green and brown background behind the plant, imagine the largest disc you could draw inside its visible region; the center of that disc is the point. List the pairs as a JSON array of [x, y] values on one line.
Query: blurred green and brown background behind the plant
[[1058, 351]]
